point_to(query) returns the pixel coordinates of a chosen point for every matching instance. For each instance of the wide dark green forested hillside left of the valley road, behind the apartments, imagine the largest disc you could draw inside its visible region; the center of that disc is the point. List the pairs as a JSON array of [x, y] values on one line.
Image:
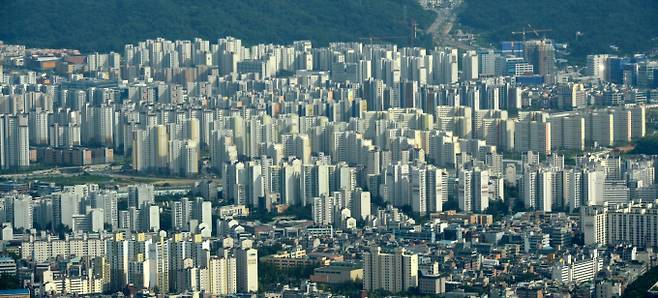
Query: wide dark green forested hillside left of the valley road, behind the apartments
[[108, 24]]
